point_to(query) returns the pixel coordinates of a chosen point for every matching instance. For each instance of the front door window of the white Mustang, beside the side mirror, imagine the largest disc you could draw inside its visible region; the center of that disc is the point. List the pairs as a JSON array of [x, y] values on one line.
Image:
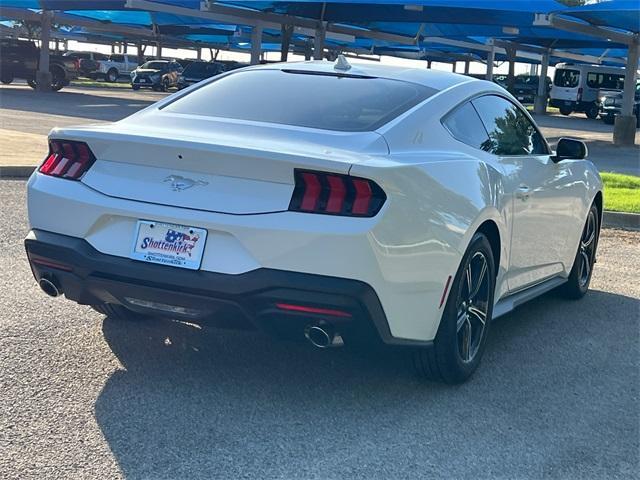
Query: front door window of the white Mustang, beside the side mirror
[[510, 130]]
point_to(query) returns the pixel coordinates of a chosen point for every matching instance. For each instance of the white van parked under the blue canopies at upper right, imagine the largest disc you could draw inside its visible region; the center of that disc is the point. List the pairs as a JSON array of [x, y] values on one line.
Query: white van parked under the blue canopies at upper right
[[576, 88]]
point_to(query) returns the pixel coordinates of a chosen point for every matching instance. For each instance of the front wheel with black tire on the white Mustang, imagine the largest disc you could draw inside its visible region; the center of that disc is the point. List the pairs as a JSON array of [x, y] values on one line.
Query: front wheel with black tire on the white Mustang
[[579, 280]]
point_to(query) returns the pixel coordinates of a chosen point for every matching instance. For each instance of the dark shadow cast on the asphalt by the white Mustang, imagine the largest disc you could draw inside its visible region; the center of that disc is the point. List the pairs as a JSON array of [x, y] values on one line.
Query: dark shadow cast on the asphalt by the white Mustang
[[199, 402]]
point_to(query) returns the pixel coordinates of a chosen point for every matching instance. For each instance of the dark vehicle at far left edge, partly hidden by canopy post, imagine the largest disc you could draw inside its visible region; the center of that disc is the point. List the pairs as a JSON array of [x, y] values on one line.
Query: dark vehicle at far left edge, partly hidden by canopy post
[[20, 59]]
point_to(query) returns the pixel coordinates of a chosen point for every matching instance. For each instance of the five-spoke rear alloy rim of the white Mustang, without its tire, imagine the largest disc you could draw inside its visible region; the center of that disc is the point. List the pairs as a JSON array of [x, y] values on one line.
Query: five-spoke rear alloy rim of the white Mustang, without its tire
[[473, 307]]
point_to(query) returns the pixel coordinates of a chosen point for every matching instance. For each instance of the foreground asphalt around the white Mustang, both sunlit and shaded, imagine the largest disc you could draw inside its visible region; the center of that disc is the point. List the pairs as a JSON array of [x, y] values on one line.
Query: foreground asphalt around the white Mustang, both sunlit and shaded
[[83, 396]]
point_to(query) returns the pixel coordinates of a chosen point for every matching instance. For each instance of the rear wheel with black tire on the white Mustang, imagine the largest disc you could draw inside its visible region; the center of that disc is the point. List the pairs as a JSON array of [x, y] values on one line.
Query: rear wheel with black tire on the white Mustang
[[461, 338]]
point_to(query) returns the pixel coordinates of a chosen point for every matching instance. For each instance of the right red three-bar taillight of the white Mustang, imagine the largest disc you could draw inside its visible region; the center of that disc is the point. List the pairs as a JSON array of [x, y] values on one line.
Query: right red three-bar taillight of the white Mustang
[[335, 194]]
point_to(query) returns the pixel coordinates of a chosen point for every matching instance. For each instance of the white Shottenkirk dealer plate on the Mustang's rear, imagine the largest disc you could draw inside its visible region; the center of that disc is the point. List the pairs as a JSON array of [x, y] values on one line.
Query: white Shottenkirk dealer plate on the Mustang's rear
[[168, 244]]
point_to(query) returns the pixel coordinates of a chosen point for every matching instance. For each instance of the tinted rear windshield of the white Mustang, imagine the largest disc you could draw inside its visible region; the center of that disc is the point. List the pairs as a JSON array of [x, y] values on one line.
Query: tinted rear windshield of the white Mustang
[[326, 101]]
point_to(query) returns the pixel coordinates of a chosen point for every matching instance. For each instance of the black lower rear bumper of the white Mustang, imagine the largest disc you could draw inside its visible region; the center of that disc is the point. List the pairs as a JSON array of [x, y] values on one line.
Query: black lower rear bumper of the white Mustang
[[89, 277]]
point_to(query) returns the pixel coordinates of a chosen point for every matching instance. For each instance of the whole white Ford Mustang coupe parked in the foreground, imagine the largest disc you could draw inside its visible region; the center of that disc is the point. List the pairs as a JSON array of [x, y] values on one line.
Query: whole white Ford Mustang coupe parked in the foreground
[[334, 202]]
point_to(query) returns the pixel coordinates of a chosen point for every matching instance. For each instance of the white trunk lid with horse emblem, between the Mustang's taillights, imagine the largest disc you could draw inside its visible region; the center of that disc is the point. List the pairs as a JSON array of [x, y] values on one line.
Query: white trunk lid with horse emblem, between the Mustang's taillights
[[212, 164]]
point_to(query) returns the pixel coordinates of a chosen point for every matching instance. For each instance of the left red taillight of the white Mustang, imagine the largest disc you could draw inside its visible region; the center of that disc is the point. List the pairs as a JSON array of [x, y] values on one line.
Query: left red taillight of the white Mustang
[[67, 159]]
